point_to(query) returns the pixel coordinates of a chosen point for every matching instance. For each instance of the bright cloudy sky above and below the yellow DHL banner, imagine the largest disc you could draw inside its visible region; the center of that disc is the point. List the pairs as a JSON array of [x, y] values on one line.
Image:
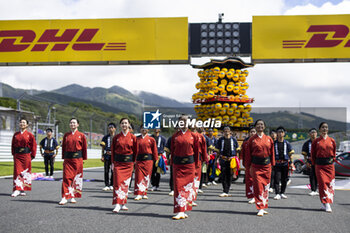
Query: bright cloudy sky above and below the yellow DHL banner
[[272, 85]]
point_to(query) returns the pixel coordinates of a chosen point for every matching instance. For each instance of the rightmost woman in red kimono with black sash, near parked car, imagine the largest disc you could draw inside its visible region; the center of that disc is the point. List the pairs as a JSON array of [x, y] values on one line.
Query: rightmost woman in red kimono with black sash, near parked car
[[323, 154]]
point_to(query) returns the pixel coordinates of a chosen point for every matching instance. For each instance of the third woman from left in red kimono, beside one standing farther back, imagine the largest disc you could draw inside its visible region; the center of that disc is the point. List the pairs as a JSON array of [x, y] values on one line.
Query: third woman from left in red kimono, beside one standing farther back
[[124, 152]]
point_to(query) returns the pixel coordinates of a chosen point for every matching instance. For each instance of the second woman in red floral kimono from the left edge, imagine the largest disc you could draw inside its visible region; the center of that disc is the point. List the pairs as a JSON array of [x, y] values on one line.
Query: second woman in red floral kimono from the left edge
[[74, 151]]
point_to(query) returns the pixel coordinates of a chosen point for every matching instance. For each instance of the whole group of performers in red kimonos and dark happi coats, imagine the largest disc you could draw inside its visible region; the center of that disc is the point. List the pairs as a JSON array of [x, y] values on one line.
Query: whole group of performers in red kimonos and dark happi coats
[[193, 159]]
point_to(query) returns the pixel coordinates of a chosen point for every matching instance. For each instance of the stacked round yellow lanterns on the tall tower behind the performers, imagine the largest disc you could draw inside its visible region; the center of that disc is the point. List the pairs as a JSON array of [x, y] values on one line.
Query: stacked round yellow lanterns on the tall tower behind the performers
[[223, 82]]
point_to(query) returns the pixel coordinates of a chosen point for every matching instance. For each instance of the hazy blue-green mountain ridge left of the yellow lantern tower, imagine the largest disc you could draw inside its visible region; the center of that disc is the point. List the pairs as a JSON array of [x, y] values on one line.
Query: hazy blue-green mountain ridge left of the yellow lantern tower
[[114, 99]]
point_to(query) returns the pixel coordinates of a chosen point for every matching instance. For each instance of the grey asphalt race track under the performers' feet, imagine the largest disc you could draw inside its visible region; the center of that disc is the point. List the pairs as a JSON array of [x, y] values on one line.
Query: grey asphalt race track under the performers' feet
[[39, 210]]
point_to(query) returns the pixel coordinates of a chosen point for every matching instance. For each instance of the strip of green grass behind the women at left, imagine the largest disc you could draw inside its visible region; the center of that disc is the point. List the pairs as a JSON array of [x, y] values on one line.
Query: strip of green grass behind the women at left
[[6, 168]]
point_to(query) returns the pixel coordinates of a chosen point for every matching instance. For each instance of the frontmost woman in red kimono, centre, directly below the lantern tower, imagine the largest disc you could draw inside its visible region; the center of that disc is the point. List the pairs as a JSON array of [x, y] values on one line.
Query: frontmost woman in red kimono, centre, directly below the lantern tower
[[184, 159]]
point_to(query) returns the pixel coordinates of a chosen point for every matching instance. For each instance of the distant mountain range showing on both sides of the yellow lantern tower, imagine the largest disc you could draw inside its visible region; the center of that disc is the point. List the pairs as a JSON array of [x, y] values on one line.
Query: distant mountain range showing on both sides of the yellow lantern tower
[[119, 100]]
